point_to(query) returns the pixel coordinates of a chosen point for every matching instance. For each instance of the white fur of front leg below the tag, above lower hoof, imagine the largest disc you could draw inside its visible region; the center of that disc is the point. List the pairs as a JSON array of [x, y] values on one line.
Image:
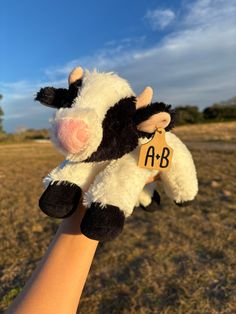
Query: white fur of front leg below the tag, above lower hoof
[[119, 184]]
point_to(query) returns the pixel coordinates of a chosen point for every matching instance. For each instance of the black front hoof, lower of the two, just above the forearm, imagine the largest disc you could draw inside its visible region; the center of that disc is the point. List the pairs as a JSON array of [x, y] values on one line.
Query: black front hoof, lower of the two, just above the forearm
[[102, 224]]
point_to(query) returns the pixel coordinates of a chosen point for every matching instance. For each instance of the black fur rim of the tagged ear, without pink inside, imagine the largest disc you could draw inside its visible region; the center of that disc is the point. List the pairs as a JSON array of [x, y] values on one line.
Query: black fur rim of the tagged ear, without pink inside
[[145, 113]]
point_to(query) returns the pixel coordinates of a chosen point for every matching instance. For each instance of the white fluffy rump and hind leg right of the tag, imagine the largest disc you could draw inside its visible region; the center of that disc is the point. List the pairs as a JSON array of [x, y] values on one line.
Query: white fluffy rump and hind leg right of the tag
[[180, 183]]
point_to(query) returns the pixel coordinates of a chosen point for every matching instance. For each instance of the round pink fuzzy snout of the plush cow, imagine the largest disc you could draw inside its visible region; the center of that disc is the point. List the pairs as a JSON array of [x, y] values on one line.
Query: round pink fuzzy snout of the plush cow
[[72, 134]]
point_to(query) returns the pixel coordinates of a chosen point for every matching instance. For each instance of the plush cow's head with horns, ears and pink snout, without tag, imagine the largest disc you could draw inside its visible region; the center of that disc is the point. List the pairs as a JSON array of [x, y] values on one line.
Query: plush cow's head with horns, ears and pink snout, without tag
[[99, 117]]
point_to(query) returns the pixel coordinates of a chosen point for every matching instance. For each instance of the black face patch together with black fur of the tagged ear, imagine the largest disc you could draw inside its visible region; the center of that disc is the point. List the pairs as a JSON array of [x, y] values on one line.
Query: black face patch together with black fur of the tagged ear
[[120, 134]]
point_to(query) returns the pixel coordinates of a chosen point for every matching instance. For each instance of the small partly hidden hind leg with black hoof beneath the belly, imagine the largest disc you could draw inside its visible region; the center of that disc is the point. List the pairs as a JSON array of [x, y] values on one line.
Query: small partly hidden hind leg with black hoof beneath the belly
[[149, 198]]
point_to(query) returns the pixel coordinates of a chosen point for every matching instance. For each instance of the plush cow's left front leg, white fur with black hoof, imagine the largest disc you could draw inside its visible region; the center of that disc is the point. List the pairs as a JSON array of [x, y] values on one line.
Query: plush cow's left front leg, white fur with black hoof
[[64, 187]]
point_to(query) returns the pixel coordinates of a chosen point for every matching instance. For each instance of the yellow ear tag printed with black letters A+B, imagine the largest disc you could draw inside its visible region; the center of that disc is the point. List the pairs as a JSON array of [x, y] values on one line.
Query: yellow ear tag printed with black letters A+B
[[156, 154]]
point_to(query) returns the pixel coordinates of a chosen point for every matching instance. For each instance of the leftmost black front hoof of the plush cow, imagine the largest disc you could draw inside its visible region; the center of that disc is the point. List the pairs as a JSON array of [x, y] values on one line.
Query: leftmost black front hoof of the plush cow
[[60, 200]]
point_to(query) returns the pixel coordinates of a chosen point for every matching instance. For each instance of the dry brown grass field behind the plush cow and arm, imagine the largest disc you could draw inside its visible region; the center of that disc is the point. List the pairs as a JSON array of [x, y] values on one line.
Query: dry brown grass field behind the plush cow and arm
[[176, 260]]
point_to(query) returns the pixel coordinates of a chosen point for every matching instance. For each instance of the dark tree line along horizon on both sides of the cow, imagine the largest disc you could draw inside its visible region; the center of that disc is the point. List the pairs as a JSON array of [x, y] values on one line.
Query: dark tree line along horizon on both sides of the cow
[[188, 114]]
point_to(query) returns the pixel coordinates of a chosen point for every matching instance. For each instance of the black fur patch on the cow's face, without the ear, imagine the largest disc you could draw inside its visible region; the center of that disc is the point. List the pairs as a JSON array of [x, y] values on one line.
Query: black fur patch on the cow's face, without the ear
[[120, 135]]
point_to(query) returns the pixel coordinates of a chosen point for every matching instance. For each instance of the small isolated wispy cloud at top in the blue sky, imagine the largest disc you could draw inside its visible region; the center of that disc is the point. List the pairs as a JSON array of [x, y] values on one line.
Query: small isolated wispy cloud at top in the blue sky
[[159, 19]]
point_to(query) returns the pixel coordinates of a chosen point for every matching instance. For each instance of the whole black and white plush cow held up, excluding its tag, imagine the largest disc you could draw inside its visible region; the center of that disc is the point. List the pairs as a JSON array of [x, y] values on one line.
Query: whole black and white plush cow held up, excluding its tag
[[99, 126]]
